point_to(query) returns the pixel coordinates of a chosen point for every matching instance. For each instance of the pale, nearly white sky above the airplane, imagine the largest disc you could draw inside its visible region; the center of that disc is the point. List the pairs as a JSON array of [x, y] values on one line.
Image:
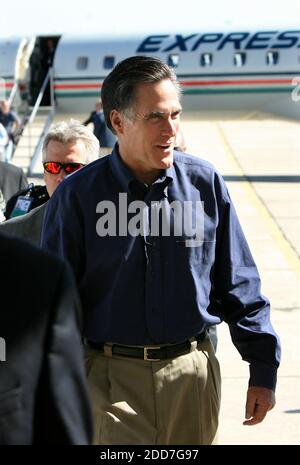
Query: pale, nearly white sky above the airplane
[[138, 16]]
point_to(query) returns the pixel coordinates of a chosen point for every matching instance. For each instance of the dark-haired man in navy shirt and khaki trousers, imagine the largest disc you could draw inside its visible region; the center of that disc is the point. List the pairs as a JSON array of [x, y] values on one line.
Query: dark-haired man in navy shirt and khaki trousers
[[159, 256]]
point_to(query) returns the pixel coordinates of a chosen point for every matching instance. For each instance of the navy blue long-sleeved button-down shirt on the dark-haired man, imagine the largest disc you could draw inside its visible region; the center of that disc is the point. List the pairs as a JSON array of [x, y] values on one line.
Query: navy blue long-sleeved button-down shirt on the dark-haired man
[[153, 286]]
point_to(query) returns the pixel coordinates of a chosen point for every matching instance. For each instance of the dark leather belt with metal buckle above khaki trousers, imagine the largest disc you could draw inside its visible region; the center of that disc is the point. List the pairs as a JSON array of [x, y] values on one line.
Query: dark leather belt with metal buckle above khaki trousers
[[151, 353]]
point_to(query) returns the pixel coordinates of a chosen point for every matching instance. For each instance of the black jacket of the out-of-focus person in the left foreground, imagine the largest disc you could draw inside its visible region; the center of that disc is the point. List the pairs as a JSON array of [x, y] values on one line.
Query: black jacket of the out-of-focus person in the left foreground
[[43, 391]]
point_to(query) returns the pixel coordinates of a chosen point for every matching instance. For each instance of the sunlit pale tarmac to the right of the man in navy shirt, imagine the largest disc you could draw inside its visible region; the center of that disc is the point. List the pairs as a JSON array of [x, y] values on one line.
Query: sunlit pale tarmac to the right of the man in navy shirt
[[259, 157]]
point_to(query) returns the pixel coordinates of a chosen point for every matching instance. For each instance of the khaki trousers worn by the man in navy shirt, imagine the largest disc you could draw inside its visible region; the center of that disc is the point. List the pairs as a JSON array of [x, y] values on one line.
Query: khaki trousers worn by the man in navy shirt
[[164, 402]]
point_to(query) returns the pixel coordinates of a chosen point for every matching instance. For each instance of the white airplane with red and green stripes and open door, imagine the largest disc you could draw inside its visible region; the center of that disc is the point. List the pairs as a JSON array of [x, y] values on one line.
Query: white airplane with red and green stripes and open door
[[246, 71]]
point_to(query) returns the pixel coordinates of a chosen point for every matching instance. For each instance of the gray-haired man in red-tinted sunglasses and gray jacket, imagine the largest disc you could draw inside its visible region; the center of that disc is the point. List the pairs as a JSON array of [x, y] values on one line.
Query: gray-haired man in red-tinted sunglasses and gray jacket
[[67, 148]]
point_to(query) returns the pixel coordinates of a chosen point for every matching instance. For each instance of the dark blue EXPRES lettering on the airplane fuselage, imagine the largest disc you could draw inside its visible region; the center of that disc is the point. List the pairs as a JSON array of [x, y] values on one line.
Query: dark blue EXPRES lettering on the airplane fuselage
[[237, 40]]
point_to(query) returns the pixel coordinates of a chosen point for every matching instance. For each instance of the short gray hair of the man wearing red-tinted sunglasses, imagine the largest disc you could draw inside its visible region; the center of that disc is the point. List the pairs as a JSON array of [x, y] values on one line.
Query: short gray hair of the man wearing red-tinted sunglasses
[[71, 132]]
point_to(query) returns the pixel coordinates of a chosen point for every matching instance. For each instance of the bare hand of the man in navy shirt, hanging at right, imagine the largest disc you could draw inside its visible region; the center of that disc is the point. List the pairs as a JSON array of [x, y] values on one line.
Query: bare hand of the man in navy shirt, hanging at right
[[259, 401]]
